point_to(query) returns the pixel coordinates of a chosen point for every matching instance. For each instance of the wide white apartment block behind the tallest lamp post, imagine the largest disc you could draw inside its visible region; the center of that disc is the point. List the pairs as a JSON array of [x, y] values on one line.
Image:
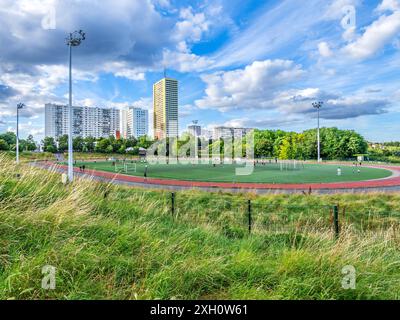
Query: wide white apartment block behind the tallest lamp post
[[87, 121]]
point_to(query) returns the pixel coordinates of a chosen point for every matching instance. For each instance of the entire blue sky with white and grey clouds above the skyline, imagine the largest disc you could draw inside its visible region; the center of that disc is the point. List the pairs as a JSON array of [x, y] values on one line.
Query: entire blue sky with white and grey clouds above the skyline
[[244, 63]]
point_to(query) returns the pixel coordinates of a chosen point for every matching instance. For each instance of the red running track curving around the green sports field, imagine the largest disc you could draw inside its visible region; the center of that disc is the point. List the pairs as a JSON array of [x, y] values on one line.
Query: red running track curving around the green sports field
[[392, 181]]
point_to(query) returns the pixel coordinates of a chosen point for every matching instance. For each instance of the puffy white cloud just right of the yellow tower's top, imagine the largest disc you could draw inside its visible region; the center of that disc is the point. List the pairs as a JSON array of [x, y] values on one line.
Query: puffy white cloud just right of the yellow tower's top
[[251, 87]]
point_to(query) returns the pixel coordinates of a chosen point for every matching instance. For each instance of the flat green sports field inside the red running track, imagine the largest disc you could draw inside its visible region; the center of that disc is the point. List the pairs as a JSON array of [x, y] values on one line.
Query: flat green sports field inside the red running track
[[269, 173]]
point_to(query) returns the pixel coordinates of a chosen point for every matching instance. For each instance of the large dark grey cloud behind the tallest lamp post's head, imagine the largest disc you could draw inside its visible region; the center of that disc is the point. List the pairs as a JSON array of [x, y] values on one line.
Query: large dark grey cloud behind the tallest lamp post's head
[[127, 30]]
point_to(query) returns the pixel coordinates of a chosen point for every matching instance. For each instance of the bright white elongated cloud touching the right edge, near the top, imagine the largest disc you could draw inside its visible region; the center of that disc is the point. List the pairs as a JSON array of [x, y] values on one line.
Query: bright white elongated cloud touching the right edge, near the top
[[379, 33]]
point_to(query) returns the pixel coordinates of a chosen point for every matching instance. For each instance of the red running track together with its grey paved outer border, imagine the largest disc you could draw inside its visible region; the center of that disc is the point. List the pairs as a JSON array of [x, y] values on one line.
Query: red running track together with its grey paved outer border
[[391, 183]]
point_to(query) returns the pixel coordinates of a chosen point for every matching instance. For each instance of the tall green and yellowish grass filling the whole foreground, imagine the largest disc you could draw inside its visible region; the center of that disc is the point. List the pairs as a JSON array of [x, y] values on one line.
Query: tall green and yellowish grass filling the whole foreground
[[112, 242]]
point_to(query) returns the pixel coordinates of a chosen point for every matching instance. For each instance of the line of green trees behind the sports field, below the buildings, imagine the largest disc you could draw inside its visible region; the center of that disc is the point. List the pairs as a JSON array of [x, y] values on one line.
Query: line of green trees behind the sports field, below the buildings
[[335, 144]]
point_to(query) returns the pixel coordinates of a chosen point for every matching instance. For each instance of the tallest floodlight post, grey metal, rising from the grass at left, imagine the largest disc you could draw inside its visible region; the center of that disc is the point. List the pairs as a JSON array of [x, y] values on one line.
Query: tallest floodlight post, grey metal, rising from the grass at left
[[73, 40]]
